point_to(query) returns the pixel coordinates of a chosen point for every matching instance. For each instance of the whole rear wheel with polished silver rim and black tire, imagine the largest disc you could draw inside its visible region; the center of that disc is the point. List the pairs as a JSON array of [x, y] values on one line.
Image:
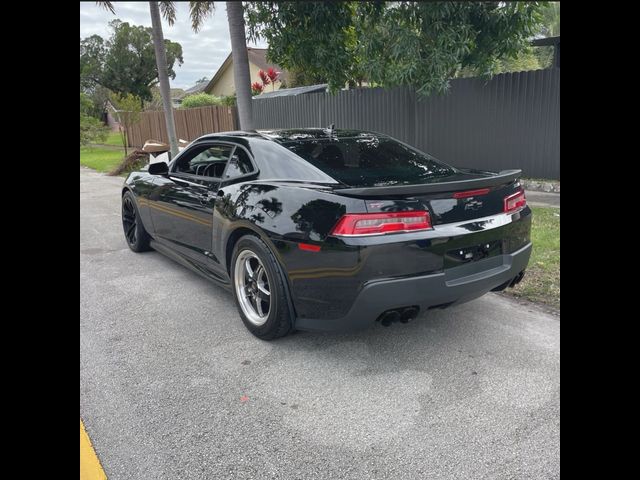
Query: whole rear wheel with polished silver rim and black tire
[[259, 290]]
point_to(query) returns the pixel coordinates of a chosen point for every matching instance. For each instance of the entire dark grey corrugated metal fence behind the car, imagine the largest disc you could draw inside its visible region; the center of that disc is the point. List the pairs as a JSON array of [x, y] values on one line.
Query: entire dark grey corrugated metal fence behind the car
[[510, 121]]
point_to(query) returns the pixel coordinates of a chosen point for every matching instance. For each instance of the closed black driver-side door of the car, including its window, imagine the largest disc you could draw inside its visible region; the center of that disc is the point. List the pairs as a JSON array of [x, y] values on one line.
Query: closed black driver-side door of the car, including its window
[[182, 202]]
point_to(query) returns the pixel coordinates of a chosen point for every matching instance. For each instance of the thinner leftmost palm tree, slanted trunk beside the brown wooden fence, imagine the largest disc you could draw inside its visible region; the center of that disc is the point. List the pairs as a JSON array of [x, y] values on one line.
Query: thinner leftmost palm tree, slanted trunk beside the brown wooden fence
[[168, 11]]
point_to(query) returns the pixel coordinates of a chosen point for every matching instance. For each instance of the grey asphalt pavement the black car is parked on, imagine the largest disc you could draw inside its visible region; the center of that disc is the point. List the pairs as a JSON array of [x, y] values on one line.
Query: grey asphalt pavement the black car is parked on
[[172, 385]]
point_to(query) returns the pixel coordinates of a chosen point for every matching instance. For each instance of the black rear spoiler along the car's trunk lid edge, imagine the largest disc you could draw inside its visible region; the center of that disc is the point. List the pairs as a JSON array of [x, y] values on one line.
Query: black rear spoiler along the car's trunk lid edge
[[505, 176]]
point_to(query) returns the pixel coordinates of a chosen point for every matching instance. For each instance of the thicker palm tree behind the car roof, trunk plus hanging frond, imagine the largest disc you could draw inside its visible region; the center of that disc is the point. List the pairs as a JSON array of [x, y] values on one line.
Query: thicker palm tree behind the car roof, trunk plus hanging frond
[[241, 76]]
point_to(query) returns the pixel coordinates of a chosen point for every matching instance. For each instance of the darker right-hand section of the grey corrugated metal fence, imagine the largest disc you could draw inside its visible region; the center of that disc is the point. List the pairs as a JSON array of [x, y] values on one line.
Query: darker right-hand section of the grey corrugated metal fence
[[511, 121]]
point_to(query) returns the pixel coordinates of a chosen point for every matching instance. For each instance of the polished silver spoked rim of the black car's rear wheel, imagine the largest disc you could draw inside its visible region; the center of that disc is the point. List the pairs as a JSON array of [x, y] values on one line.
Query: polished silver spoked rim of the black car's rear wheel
[[252, 287]]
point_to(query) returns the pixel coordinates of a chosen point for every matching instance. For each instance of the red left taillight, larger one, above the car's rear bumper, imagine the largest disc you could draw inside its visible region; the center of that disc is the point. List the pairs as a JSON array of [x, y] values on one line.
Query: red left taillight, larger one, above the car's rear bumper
[[355, 224]]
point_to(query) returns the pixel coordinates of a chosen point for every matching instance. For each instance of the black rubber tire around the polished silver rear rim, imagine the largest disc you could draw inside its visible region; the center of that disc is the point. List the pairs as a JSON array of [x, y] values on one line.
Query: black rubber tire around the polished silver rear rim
[[278, 321]]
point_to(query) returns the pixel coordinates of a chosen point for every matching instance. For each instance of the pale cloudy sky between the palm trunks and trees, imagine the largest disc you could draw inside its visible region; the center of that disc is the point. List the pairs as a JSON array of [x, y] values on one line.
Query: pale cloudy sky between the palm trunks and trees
[[203, 52]]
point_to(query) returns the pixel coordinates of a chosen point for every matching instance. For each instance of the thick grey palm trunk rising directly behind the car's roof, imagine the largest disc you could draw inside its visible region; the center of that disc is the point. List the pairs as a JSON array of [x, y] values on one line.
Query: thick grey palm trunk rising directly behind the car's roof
[[241, 76]]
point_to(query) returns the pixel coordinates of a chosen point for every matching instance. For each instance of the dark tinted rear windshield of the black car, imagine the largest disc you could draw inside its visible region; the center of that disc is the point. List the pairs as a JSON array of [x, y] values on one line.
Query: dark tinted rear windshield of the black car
[[369, 161]]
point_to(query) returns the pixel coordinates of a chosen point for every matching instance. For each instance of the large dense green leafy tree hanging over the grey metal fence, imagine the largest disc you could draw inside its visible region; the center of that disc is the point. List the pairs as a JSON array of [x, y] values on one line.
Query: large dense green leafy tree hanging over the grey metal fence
[[422, 44]]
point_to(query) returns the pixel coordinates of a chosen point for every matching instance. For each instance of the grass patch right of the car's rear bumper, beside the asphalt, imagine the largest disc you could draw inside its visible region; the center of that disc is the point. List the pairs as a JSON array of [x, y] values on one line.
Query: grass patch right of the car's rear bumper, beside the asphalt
[[541, 282]]
